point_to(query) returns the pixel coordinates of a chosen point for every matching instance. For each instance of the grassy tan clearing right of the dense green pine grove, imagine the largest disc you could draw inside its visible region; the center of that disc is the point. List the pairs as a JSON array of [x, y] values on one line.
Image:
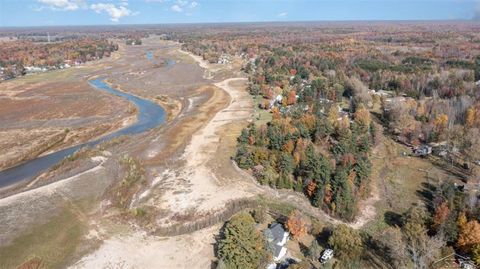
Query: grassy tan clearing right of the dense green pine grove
[[400, 180]]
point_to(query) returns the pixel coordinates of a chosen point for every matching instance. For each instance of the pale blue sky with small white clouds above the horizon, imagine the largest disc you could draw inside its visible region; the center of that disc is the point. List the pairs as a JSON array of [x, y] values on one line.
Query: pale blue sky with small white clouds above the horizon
[[111, 12]]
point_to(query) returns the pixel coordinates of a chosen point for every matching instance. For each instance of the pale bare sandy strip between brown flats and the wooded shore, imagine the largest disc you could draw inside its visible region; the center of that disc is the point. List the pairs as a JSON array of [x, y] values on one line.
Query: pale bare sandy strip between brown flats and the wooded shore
[[197, 188]]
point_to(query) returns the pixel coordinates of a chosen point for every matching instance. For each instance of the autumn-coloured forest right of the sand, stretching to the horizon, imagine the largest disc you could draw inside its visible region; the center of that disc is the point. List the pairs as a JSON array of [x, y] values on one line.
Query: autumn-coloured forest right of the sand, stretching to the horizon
[[329, 91]]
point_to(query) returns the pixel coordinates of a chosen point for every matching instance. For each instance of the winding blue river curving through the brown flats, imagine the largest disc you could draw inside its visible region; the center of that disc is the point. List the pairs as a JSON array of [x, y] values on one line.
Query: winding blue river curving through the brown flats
[[150, 115]]
